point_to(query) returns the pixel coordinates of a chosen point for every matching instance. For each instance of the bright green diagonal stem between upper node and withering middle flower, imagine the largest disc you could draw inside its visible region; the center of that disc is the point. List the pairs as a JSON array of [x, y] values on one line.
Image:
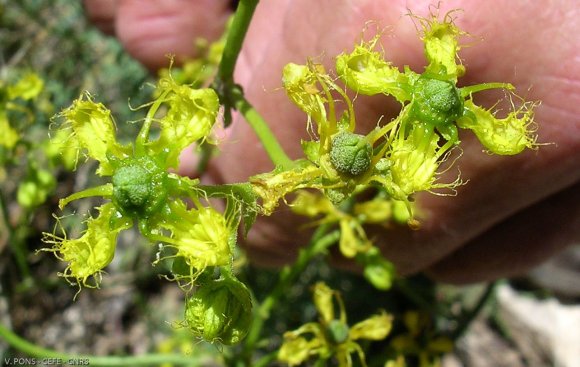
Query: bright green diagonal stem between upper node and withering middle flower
[[263, 131]]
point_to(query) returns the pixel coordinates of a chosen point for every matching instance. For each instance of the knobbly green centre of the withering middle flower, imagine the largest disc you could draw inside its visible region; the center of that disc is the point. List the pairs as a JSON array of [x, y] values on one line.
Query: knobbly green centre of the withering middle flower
[[350, 153]]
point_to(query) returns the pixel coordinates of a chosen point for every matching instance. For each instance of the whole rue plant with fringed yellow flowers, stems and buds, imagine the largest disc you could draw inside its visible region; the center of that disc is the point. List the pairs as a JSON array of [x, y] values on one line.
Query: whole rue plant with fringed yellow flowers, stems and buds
[[347, 179]]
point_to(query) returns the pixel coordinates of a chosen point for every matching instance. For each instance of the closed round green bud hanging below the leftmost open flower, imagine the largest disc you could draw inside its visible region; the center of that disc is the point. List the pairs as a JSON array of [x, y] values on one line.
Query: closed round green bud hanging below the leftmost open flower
[[220, 311]]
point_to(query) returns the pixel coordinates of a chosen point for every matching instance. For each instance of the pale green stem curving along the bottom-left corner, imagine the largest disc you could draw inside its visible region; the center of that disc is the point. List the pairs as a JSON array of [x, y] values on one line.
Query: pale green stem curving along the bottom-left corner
[[34, 350]]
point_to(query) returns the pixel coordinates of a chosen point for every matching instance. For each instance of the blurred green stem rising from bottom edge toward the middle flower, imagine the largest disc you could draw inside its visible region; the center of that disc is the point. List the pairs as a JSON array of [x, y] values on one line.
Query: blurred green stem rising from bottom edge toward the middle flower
[[319, 243]]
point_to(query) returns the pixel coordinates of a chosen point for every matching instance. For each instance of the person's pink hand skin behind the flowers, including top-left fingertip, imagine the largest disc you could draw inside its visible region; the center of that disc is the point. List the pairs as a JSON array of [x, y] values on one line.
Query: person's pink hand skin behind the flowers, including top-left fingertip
[[512, 214]]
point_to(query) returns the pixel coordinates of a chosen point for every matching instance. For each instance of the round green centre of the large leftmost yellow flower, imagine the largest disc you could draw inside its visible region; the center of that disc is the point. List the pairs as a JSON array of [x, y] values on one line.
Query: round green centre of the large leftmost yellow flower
[[139, 187]]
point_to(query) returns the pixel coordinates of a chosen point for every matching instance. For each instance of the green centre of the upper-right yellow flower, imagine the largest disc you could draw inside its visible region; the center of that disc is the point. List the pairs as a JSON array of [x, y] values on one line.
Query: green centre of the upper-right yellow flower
[[437, 102]]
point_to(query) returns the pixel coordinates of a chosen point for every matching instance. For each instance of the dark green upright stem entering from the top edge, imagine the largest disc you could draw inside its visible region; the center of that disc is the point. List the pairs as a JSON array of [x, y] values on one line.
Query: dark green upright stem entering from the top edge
[[235, 39]]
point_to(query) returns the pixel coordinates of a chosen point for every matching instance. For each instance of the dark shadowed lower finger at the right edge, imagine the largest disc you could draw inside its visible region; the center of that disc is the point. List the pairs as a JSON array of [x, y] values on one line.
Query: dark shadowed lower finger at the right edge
[[516, 245]]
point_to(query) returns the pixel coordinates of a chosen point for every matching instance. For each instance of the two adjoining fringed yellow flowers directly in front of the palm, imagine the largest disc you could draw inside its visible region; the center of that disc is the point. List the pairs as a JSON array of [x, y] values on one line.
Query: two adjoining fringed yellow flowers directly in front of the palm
[[401, 157]]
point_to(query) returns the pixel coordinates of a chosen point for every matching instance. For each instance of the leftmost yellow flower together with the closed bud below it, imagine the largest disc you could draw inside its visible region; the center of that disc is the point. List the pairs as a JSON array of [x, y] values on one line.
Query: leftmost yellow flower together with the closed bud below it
[[198, 239]]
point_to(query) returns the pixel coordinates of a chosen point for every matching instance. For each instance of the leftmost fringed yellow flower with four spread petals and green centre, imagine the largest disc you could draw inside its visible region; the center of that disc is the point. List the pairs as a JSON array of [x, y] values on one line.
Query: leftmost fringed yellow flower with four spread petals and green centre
[[141, 187]]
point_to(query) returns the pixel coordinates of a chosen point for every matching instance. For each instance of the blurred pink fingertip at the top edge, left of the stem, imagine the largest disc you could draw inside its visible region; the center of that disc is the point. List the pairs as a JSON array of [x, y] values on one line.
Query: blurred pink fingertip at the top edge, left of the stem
[[150, 30]]
